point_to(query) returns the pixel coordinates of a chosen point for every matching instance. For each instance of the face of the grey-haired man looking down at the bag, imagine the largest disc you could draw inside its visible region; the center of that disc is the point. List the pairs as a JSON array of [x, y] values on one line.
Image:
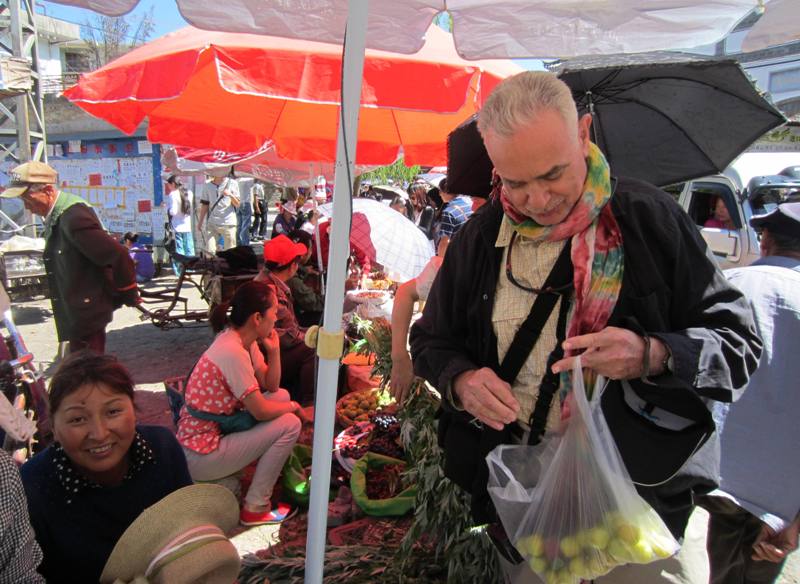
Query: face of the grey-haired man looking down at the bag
[[542, 165]]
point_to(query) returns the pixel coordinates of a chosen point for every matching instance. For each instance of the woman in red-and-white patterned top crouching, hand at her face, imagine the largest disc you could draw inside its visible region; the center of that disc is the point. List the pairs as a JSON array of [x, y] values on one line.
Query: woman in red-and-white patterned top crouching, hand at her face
[[231, 378]]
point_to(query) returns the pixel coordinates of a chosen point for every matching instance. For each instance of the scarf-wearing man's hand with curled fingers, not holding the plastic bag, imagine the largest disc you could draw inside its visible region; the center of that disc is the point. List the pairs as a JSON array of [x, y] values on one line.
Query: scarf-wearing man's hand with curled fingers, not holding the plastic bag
[[487, 397]]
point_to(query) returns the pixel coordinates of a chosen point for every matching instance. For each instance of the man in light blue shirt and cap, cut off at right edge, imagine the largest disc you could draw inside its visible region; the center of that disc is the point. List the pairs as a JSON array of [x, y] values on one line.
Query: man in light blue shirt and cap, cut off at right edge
[[754, 515]]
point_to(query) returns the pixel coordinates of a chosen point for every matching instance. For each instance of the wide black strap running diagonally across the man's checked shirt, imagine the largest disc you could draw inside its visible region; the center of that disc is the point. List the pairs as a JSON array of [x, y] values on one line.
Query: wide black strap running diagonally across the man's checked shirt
[[543, 306]]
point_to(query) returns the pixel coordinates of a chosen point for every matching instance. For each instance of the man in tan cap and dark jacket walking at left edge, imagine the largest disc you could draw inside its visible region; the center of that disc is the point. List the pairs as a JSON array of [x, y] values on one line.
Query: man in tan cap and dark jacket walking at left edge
[[89, 273]]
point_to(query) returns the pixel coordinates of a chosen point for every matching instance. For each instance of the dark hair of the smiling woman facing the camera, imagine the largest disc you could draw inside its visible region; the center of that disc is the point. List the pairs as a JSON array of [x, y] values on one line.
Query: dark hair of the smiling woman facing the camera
[[87, 368]]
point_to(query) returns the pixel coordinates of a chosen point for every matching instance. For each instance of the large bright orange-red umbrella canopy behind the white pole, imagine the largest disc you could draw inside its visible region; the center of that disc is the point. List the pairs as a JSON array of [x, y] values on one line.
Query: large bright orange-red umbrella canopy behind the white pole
[[233, 92]]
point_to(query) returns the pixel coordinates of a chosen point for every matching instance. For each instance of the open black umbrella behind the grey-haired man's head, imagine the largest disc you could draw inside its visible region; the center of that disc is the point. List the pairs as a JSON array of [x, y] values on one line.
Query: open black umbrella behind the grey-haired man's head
[[662, 117]]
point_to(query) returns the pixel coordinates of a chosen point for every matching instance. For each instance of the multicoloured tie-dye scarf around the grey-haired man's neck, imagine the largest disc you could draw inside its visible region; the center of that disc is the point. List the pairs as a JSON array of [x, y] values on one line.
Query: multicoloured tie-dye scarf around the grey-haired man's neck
[[597, 257]]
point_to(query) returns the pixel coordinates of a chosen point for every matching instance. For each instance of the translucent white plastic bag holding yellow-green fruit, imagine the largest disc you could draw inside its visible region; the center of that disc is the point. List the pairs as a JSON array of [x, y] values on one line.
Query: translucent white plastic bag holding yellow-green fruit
[[568, 504]]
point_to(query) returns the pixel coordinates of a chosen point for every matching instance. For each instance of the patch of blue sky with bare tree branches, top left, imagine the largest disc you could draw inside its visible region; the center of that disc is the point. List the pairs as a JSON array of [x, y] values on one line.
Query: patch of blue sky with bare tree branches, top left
[[110, 37]]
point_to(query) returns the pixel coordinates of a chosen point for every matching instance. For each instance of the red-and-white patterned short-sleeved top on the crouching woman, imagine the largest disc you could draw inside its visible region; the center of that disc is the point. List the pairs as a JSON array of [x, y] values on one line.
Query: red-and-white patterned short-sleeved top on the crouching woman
[[223, 377]]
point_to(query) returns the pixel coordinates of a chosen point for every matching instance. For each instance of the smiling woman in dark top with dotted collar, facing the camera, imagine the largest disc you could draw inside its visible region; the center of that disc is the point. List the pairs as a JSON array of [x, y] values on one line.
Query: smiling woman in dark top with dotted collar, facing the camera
[[103, 470]]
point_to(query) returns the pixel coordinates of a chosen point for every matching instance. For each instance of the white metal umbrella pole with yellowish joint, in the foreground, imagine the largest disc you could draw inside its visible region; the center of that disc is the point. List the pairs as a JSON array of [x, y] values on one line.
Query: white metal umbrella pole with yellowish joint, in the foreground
[[325, 410]]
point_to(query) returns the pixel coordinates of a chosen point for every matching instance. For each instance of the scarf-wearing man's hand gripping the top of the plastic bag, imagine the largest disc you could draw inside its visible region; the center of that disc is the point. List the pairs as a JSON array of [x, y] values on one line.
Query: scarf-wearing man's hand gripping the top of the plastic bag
[[615, 353]]
